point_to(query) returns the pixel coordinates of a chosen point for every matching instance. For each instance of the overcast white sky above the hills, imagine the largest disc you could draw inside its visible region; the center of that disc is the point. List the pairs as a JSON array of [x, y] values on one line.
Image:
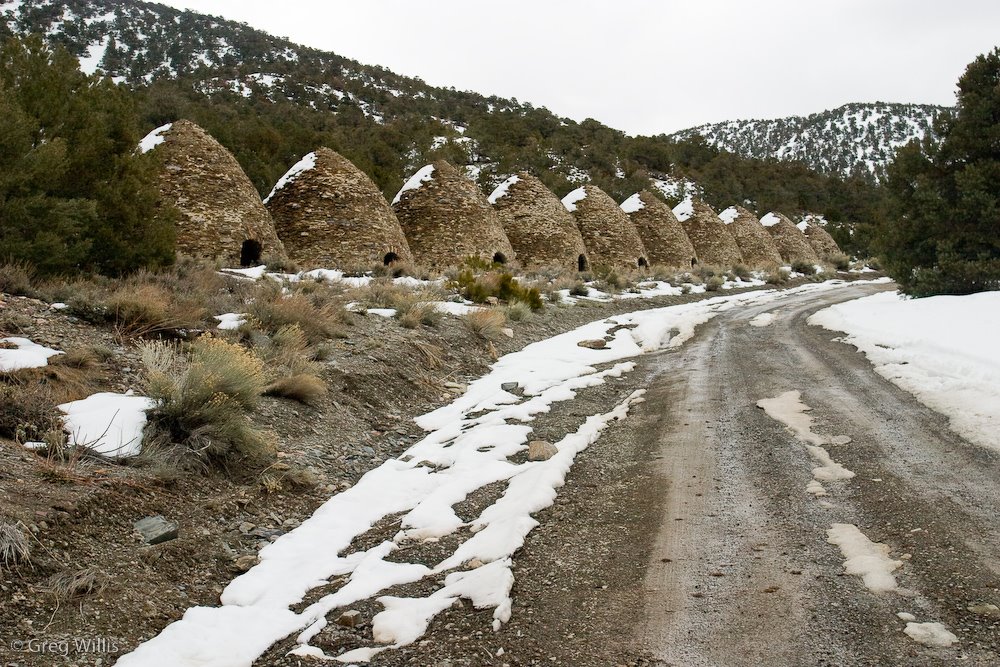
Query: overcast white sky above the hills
[[647, 66]]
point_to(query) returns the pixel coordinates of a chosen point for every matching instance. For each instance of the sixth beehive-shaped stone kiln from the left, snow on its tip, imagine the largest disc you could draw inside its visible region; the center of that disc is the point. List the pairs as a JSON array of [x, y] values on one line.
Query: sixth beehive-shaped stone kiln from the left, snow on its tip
[[661, 232]]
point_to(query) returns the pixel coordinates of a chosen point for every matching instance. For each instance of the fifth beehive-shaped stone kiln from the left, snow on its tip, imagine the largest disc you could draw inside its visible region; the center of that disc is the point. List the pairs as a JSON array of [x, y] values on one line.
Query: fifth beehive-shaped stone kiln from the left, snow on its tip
[[610, 237]]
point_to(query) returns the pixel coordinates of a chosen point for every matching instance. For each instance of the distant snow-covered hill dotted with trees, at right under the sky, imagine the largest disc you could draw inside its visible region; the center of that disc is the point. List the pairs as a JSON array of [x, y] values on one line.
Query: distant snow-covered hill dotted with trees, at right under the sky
[[854, 138]]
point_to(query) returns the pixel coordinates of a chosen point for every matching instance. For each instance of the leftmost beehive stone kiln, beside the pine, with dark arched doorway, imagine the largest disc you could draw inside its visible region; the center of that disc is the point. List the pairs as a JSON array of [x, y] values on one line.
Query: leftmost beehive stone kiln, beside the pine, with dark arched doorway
[[221, 214]]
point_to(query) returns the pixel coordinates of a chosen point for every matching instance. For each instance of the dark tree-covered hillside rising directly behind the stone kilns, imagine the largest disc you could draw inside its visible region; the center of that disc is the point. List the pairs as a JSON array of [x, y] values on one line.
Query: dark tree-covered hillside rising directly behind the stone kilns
[[270, 101]]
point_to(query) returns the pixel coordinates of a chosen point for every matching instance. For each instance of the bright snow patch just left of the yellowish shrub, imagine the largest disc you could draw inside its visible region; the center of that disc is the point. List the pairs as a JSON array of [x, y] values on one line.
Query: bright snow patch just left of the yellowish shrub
[[107, 423]]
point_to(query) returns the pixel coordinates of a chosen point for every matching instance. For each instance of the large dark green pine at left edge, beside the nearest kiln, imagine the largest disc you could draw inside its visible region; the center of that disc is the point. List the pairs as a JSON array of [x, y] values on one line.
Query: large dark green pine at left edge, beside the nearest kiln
[[73, 194]]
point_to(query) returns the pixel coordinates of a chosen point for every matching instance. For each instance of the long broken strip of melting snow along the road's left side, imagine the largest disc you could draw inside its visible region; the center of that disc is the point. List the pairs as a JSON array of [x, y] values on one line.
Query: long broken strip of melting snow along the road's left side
[[469, 444]]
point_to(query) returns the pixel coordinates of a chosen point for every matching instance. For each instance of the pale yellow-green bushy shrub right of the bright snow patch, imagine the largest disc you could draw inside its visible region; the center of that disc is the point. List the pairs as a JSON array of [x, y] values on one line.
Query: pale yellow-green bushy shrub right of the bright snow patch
[[202, 402]]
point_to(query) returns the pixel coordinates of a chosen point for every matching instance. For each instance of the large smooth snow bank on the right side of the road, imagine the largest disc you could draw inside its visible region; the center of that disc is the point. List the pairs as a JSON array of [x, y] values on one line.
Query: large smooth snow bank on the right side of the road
[[942, 349]]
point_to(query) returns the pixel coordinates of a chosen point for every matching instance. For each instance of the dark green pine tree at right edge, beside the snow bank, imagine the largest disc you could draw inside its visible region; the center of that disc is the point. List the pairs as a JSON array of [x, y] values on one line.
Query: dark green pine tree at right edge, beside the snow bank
[[945, 235]]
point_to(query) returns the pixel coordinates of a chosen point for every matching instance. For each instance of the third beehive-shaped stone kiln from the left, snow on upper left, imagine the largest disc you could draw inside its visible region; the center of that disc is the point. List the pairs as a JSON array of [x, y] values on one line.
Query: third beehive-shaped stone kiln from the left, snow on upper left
[[446, 219]]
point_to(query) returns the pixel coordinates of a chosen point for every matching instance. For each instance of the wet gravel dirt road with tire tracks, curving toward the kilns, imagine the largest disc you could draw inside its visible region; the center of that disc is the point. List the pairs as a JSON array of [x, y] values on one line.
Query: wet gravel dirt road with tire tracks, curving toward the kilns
[[741, 571]]
